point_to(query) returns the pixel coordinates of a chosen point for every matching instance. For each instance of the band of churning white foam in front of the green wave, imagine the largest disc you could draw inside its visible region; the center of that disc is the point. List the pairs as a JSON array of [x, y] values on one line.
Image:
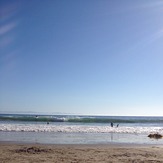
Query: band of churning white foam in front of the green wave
[[78, 128]]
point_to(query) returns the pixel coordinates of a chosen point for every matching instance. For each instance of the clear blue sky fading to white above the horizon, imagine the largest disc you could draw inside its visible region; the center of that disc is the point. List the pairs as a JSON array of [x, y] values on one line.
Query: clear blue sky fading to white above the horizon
[[88, 57]]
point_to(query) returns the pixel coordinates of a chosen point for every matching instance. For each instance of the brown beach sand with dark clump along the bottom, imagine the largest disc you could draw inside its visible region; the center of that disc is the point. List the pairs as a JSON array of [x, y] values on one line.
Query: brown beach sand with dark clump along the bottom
[[36, 153]]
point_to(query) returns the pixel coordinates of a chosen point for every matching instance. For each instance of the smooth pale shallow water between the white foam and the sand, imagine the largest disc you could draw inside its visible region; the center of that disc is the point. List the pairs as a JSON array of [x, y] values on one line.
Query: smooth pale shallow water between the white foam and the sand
[[77, 138]]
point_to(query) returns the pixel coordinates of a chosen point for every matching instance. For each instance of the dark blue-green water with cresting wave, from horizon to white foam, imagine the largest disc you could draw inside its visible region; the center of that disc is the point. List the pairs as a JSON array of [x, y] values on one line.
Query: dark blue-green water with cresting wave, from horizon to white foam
[[81, 119]]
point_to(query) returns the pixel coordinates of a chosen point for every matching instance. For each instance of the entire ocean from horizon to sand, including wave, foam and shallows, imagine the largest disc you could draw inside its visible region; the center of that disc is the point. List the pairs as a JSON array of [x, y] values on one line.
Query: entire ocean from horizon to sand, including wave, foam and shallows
[[76, 129]]
